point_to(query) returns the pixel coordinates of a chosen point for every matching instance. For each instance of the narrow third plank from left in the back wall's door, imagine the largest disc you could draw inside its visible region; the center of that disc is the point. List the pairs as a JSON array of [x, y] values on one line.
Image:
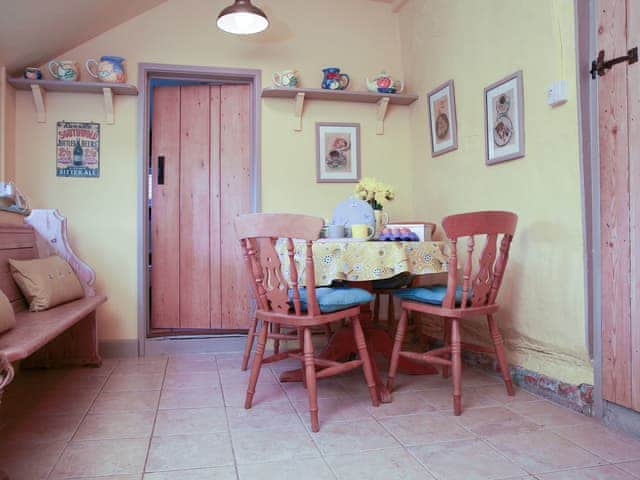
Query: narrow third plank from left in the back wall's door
[[214, 222]]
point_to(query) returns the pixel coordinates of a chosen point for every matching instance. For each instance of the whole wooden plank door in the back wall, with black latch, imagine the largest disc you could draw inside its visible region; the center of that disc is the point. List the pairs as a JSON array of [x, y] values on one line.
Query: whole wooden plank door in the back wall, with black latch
[[202, 136]]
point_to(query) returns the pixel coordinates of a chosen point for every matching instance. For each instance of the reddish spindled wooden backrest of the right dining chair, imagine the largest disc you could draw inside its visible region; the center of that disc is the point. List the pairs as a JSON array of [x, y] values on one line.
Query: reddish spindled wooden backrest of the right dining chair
[[480, 285]]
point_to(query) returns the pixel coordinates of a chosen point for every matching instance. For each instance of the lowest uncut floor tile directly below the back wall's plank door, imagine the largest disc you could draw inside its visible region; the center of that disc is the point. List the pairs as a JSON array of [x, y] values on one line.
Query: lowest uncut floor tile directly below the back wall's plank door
[[183, 452]]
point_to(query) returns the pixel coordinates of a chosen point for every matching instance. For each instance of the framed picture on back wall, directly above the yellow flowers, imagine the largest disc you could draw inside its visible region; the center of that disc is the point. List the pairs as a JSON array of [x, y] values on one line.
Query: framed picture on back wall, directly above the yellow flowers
[[337, 152]]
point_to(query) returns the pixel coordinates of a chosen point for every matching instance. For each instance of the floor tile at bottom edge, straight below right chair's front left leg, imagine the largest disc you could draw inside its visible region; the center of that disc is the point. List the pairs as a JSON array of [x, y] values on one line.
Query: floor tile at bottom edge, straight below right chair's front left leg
[[465, 460]]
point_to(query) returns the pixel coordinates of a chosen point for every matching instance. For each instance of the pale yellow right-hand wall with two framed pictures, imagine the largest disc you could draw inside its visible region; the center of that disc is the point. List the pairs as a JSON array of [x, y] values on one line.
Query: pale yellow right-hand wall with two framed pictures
[[476, 43]]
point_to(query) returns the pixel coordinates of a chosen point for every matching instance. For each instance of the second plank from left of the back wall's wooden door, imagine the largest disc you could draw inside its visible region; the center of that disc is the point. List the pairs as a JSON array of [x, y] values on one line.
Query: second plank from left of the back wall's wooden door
[[194, 207]]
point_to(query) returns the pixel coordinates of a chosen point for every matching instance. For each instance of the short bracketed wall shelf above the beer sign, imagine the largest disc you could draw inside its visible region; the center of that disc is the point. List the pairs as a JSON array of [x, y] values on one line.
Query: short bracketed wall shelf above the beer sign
[[39, 88]]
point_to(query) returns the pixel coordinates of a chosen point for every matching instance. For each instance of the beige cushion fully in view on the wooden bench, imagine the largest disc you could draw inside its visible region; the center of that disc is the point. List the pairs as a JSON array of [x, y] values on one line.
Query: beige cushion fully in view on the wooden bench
[[46, 282]]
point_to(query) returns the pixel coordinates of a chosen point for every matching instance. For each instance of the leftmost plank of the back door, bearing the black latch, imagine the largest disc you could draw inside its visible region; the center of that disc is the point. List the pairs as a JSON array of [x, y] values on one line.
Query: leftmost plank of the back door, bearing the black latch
[[165, 215]]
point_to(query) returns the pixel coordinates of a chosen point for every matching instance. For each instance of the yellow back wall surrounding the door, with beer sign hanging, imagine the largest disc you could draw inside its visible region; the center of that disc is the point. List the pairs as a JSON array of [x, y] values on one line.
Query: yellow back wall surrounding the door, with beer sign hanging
[[358, 35]]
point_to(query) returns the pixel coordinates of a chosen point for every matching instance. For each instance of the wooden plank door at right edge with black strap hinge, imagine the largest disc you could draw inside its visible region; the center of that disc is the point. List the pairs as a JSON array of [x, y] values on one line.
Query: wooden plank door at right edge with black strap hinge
[[619, 134]]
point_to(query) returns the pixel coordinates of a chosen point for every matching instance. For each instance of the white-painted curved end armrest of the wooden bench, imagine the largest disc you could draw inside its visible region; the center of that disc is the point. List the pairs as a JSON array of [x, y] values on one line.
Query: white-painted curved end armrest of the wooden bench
[[52, 238]]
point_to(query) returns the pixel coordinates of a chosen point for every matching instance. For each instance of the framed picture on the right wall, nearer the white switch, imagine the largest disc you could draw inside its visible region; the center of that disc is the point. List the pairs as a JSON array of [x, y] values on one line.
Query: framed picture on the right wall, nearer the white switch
[[504, 119]]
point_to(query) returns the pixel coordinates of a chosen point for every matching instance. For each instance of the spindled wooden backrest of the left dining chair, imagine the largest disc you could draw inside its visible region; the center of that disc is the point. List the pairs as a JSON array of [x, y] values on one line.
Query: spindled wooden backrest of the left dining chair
[[258, 234]]
